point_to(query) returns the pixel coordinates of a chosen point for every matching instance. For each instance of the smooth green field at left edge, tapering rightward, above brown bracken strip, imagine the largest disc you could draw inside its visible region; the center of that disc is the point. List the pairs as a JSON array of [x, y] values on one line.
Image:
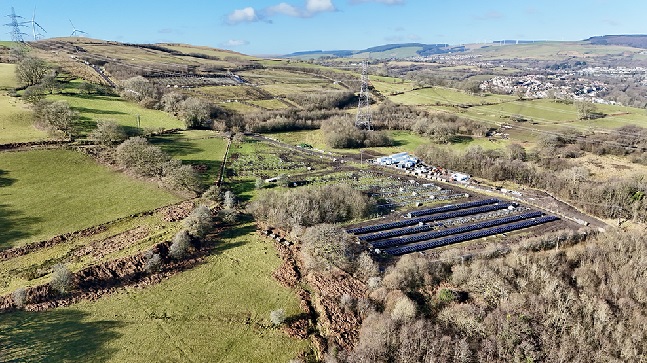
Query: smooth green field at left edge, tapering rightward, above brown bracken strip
[[48, 192]]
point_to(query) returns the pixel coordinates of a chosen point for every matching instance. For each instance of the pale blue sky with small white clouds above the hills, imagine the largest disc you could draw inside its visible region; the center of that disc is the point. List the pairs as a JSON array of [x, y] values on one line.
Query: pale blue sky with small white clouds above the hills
[[274, 27]]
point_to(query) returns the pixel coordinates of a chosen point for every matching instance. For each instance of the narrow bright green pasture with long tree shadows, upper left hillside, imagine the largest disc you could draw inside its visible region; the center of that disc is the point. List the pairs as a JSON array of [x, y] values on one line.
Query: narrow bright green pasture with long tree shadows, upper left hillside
[[92, 108]]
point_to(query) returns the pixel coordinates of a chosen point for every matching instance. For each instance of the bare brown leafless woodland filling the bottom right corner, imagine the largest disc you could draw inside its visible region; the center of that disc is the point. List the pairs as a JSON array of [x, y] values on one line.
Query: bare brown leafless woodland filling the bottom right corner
[[584, 303]]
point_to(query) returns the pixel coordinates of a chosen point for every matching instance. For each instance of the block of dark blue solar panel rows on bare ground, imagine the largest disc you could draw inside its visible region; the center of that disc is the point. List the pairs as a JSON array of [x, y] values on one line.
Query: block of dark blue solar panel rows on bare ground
[[430, 228]]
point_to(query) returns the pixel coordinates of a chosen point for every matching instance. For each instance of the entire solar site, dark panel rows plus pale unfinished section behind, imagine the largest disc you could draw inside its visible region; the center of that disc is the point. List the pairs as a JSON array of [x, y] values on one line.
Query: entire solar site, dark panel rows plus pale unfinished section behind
[[450, 214]]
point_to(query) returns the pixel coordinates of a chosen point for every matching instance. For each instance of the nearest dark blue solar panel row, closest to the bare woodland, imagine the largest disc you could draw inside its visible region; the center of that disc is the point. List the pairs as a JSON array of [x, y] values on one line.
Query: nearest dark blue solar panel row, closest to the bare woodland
[[469, 236]]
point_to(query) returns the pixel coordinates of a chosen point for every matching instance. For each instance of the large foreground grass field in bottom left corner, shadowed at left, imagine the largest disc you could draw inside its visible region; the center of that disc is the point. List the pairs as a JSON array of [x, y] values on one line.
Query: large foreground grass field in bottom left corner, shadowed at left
[[216, 312]]
